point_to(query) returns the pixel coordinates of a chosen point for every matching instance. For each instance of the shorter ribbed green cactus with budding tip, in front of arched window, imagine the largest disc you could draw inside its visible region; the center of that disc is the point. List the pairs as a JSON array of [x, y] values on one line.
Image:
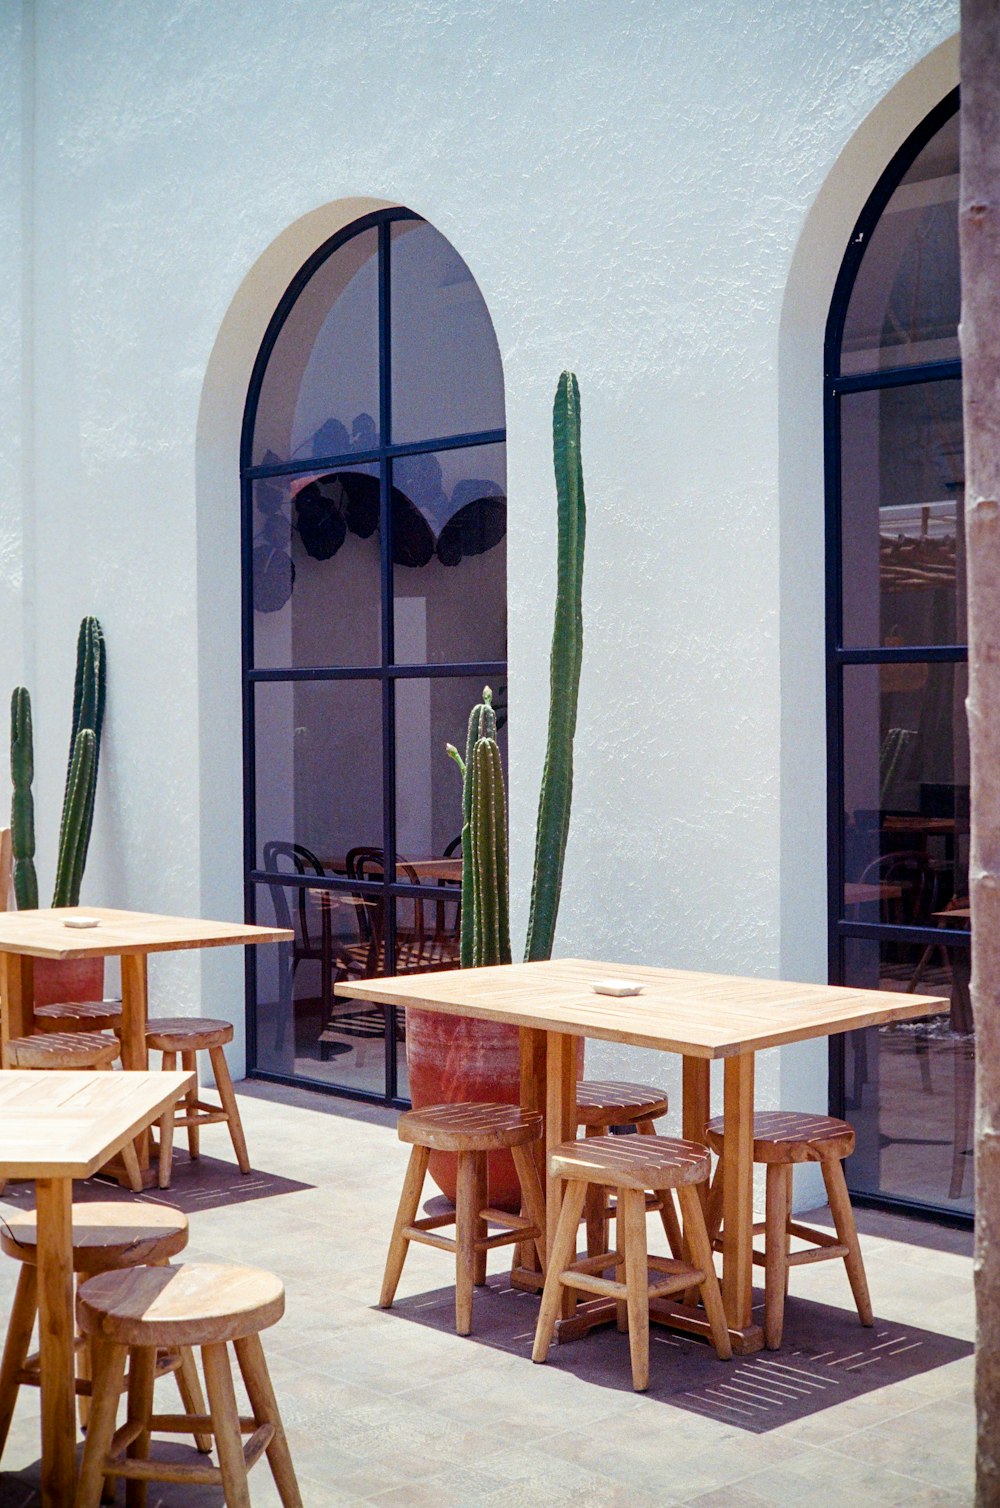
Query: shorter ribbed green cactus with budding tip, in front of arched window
[[485, 884]]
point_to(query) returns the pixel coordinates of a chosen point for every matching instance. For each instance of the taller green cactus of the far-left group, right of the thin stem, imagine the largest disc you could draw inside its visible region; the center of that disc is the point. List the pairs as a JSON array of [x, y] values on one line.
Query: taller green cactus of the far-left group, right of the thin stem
[[78, 808]]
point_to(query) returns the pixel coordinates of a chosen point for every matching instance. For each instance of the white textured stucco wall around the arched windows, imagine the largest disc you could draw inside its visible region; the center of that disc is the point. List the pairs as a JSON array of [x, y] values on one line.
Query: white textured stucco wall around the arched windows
[[654, 194]]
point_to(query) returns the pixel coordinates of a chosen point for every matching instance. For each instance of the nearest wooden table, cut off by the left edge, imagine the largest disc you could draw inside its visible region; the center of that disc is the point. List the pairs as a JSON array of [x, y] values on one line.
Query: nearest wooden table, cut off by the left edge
[[54, 1129]]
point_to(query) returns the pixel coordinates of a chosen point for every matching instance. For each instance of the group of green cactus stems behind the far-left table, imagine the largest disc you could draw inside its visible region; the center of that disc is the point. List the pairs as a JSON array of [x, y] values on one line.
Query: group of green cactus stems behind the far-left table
[[78, 809]]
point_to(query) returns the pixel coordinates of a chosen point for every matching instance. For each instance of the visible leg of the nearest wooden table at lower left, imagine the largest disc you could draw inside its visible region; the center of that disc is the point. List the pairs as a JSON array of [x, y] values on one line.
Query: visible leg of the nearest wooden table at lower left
[[57, 1341]]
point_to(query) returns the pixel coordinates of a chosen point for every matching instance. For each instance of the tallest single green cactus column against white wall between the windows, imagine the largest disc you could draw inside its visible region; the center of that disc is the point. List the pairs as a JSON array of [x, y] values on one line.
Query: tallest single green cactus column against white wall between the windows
[[565, 667]]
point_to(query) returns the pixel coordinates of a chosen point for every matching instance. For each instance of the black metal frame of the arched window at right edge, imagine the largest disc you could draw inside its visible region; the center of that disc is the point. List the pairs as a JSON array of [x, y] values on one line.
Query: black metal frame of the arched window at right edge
[[838, 387]]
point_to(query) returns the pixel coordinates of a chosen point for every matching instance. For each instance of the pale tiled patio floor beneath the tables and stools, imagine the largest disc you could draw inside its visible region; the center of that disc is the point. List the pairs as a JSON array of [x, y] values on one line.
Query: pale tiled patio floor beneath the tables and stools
[[393, 1408]]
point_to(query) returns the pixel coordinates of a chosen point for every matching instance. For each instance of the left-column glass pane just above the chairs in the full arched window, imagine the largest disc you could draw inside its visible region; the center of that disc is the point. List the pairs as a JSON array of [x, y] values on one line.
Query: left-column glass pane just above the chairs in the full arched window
[[319, 770]]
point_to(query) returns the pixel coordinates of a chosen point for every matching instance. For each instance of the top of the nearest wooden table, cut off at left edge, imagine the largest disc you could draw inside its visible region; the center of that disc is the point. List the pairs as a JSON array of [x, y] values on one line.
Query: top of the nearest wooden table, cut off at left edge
[[69, 1124]]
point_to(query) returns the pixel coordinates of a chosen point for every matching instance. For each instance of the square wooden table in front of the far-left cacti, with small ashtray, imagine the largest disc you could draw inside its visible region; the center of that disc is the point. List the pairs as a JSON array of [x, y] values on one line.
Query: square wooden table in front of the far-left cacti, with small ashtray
[[132, 936]]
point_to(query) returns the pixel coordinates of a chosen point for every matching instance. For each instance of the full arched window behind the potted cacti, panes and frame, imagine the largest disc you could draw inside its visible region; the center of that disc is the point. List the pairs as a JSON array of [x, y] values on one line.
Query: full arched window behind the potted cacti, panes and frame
[[375, 610]]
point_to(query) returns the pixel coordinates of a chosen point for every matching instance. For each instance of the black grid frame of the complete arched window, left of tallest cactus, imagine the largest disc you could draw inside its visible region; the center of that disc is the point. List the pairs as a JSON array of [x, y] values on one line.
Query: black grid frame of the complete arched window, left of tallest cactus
[[387, 673]]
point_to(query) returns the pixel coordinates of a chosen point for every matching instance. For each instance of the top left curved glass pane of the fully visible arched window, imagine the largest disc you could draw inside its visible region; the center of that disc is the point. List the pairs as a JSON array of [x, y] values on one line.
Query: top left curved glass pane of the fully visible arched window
[[321, 391]]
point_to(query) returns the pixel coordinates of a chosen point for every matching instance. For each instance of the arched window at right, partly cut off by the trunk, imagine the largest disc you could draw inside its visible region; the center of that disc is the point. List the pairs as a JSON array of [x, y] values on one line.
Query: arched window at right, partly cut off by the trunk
[[898, 676]]
